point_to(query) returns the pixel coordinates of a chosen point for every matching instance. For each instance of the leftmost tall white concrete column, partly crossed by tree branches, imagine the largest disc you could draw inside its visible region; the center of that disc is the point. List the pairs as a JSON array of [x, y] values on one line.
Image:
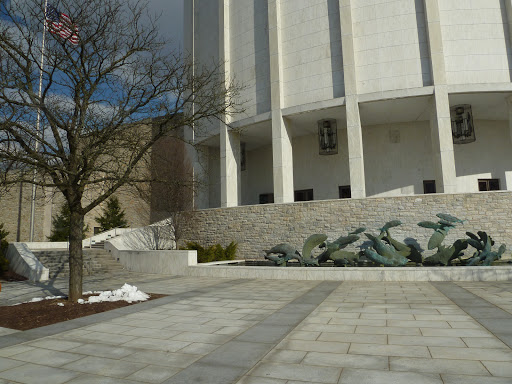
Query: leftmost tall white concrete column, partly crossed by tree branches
[[229, 141]]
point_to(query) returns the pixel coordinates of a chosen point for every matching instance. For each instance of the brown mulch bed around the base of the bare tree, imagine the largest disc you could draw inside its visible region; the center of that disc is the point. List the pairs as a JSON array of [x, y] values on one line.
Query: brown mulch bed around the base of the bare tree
[[46, 312]]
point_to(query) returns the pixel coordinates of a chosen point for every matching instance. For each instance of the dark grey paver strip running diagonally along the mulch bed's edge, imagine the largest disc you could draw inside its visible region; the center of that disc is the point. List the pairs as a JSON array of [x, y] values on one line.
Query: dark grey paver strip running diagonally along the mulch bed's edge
[[37, 333]]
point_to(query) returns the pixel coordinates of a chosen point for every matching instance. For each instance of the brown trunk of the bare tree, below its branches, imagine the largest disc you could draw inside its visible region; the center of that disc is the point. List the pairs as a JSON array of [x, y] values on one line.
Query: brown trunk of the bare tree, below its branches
[[75, 255]]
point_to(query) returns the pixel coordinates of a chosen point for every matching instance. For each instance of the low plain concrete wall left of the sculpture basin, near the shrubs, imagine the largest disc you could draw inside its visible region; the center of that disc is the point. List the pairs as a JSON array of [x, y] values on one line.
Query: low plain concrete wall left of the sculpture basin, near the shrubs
[[169, 262]]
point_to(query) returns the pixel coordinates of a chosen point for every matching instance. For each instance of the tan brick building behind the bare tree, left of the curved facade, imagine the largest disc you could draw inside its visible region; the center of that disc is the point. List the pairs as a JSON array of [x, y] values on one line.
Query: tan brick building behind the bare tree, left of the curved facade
[[147, 203]]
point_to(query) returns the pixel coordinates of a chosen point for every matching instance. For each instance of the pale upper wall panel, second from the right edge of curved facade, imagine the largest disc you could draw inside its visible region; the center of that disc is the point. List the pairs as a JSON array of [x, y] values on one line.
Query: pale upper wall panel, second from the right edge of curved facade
[[390, 45]]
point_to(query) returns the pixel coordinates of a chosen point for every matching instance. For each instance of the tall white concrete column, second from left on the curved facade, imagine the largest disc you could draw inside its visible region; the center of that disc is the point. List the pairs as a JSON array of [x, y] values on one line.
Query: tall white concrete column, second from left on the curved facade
[[282, 152]]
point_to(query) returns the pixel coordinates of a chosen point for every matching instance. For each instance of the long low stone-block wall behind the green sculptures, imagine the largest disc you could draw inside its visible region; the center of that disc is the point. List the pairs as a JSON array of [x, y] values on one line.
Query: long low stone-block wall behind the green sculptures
[[259, 227]]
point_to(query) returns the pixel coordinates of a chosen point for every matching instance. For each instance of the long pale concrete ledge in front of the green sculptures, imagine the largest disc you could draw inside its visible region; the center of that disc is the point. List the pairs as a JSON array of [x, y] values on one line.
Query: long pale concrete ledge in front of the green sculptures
[[356, 274]]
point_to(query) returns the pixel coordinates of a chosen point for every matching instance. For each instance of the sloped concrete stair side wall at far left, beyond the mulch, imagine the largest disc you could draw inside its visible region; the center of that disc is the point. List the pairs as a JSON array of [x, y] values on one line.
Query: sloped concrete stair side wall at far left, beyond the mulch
[[24, 263]]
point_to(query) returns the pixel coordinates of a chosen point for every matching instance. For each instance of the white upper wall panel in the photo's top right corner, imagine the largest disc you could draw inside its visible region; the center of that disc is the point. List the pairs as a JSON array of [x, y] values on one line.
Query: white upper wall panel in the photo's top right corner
[[476, 41]]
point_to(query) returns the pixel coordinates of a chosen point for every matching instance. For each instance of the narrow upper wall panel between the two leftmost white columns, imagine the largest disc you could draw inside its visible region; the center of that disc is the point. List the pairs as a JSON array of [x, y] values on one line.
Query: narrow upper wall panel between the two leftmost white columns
[[250, 62]]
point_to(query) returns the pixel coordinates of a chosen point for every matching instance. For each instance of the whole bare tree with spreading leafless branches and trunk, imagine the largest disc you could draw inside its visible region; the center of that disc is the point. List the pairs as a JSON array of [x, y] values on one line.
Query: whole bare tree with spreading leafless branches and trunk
[[94, 95]]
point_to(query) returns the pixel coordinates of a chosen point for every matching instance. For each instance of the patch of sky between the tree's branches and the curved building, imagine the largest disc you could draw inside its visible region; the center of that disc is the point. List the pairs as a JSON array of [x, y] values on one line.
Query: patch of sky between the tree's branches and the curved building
[[171, 18]]
